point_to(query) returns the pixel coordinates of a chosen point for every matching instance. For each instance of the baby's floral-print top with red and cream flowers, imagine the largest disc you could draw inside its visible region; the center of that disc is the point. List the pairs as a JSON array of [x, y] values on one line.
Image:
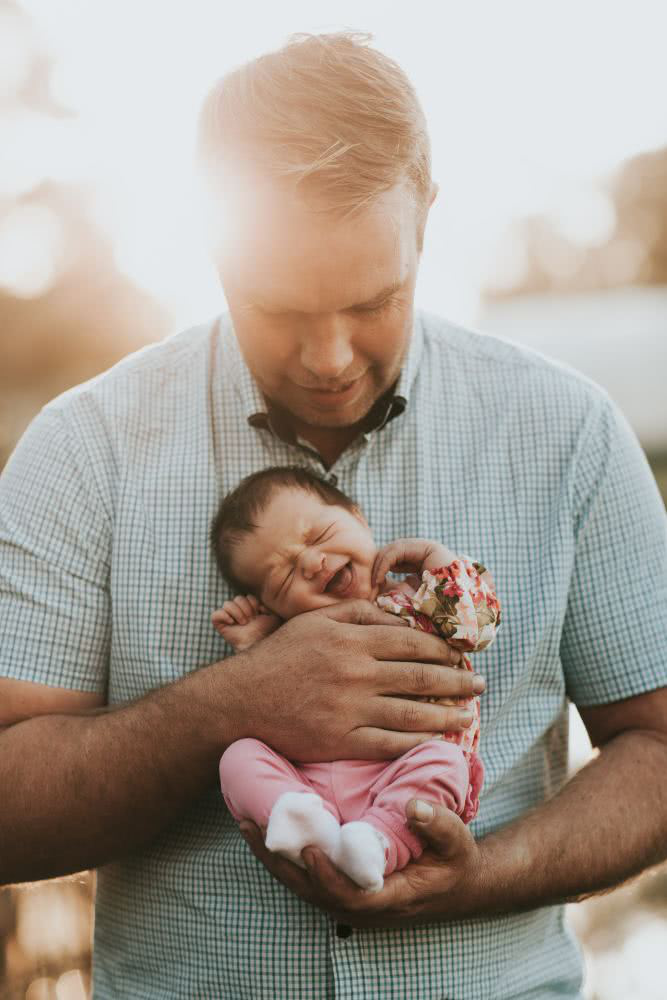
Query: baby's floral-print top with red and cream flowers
[[457, 602]]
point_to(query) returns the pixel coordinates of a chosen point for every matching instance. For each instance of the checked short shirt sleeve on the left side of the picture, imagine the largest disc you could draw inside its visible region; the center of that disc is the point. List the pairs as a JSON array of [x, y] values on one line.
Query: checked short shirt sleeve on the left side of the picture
[[54, 562]]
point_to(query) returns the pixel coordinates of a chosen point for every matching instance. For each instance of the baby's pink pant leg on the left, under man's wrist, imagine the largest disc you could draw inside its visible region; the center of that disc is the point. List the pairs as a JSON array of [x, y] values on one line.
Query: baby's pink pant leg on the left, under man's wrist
[[253, 777]]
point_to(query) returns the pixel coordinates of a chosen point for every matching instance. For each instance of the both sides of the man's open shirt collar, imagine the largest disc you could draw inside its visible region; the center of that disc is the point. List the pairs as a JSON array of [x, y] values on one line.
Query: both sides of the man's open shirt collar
[[253, 403]]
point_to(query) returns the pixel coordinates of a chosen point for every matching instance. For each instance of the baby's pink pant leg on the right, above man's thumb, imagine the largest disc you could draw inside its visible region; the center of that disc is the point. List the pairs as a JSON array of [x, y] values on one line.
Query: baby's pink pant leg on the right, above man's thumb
[[437, 771]]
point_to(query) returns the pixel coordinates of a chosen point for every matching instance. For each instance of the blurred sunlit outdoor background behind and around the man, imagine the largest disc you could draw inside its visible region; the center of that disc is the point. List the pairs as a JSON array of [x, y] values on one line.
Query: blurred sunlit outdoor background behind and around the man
[[549, 141]]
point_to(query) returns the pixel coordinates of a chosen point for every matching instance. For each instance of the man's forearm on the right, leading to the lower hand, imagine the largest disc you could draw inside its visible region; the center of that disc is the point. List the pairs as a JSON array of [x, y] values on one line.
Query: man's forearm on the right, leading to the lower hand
[[608, 823]]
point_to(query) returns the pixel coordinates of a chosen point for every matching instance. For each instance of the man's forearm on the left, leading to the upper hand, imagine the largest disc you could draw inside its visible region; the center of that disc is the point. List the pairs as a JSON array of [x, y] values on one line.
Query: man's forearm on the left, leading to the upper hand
[[80, 790]]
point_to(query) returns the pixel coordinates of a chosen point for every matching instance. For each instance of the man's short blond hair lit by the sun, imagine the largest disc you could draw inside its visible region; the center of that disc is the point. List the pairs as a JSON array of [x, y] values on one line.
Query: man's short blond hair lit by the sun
[[330, 116]]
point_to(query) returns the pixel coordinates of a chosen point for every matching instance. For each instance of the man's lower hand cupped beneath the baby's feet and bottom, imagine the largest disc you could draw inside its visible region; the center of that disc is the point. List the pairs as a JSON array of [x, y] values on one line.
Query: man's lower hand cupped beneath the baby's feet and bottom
[[441, 885]]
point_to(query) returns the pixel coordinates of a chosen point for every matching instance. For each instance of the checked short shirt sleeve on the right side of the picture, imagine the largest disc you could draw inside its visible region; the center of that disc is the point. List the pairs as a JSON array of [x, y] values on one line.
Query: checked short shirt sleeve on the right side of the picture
[[614, 638]]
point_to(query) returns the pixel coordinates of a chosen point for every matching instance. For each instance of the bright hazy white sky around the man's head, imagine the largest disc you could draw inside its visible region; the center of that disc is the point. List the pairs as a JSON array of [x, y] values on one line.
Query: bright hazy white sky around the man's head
[[527, 103]]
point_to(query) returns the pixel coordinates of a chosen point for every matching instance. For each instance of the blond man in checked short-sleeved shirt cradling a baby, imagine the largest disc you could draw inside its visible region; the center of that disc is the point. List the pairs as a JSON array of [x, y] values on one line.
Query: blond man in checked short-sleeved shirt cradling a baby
[[317, 160]]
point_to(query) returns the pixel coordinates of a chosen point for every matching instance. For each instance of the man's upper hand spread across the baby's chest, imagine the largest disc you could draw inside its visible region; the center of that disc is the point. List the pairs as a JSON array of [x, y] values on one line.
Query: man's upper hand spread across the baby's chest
[[337, 683]]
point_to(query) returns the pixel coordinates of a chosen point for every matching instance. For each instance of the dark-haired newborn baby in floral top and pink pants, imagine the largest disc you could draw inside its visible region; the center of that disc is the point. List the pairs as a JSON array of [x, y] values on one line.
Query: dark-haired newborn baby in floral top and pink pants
[[293, 543]]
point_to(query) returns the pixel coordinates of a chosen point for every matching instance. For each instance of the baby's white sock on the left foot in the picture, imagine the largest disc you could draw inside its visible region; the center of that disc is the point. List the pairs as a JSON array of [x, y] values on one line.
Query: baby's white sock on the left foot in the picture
[[297, 820]]
